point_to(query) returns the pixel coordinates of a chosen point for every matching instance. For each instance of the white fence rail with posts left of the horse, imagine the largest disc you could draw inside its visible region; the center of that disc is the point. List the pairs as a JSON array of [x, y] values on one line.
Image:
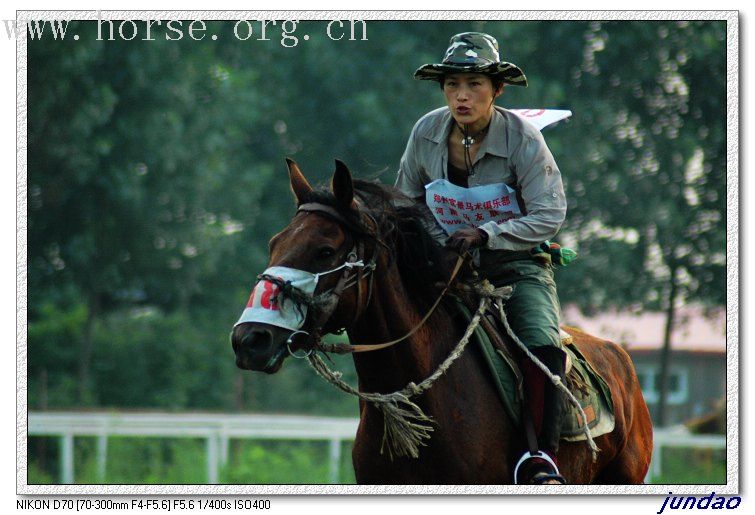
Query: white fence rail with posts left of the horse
[[216, 429]]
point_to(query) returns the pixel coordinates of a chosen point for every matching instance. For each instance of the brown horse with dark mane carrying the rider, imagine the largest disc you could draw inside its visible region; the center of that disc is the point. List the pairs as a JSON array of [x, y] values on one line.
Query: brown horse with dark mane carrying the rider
[[474, 442]]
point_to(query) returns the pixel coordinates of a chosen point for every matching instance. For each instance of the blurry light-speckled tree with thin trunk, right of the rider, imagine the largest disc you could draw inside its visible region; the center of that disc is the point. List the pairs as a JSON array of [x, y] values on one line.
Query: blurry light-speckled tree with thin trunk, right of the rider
[[651, 113]]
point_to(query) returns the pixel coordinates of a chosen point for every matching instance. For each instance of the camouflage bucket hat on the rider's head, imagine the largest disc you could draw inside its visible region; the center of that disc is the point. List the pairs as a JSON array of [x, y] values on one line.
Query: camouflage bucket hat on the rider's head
[[473, 52]]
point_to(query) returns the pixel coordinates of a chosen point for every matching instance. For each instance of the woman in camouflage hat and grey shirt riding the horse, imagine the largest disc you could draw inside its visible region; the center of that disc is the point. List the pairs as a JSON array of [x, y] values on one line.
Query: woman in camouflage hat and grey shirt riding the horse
[[472, 143]]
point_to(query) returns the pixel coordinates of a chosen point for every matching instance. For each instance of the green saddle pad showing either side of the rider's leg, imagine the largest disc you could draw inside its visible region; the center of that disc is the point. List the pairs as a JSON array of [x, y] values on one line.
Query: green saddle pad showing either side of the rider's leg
[[585, 384]]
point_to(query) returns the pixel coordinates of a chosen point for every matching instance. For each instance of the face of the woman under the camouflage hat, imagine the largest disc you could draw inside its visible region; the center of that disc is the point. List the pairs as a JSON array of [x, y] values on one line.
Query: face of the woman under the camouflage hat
[[469, 97]]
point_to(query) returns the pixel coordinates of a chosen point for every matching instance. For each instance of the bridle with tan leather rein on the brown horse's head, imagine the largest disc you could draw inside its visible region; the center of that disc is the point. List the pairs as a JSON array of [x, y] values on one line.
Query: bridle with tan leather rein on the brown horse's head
[[327, 302]]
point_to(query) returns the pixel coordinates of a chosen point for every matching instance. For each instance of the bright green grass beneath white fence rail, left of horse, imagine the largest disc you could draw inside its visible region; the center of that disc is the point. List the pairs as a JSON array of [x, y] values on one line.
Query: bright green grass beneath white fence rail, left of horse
[[184, 461]]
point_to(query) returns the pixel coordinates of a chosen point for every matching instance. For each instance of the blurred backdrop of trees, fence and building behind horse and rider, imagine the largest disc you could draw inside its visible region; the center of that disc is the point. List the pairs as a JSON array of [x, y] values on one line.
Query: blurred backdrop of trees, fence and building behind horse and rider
[[156, 177]]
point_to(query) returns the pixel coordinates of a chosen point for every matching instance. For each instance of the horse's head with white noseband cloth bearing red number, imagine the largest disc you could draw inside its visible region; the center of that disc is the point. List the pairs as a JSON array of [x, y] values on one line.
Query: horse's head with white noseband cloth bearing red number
[[318, 277]]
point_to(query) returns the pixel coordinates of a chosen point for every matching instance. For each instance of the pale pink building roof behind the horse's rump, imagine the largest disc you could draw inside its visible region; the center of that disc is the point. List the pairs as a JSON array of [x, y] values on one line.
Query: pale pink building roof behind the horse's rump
[[694, 332]]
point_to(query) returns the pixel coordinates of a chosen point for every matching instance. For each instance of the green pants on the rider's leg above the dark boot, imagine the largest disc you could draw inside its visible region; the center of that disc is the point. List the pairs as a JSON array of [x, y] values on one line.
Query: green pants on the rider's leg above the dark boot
[[533, 308]]
